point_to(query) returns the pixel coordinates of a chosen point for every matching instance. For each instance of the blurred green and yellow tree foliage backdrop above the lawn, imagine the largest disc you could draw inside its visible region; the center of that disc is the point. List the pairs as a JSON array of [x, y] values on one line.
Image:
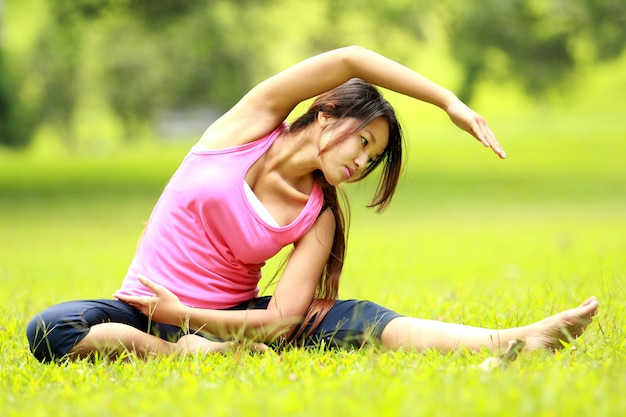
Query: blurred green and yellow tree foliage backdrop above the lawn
[[88, 73]]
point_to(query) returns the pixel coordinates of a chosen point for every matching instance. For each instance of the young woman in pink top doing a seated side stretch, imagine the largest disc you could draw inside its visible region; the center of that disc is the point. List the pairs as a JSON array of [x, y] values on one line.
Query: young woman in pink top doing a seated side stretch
[[253, 185]]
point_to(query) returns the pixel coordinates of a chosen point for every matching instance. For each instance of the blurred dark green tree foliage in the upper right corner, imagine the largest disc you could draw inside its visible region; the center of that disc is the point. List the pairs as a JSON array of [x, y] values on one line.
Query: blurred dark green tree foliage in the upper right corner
[[533, 42]]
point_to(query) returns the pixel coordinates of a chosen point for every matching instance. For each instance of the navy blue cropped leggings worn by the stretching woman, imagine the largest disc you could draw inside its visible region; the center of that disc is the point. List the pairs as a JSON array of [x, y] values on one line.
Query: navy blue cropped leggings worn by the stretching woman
[[52, 333]]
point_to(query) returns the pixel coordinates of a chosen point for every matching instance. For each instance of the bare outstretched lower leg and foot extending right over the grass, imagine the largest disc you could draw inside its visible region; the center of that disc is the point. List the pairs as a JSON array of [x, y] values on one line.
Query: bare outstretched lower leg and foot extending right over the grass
[[419, 334]]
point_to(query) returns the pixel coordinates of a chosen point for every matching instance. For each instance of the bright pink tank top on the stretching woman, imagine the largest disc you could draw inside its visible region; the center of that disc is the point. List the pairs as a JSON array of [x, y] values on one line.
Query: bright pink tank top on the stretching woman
[[204, 241]]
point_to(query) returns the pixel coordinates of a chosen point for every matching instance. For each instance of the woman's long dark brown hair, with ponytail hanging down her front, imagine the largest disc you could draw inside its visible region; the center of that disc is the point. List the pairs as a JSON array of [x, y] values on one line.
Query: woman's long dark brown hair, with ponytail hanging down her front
[[363, 102]]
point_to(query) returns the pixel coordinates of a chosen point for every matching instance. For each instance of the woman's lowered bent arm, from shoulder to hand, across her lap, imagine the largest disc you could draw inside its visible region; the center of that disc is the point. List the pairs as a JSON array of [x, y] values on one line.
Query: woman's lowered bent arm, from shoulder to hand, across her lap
[[292, 296]]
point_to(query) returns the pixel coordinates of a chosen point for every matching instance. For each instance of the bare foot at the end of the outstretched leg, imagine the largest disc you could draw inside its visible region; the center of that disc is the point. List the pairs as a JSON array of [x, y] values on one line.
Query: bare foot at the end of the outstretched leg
[[566, 325]]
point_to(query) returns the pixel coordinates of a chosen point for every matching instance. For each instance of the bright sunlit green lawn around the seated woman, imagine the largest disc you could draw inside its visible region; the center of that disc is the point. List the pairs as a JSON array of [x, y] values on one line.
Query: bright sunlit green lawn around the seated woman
[[469, 239]]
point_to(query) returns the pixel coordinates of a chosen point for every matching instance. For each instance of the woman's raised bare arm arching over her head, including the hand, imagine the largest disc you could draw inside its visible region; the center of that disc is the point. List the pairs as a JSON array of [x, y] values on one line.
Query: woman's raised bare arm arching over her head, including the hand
[[271, 101]]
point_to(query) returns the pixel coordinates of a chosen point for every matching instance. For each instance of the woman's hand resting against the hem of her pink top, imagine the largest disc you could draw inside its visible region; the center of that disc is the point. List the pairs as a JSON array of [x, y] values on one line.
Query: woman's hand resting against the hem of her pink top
[[163, 307]]
